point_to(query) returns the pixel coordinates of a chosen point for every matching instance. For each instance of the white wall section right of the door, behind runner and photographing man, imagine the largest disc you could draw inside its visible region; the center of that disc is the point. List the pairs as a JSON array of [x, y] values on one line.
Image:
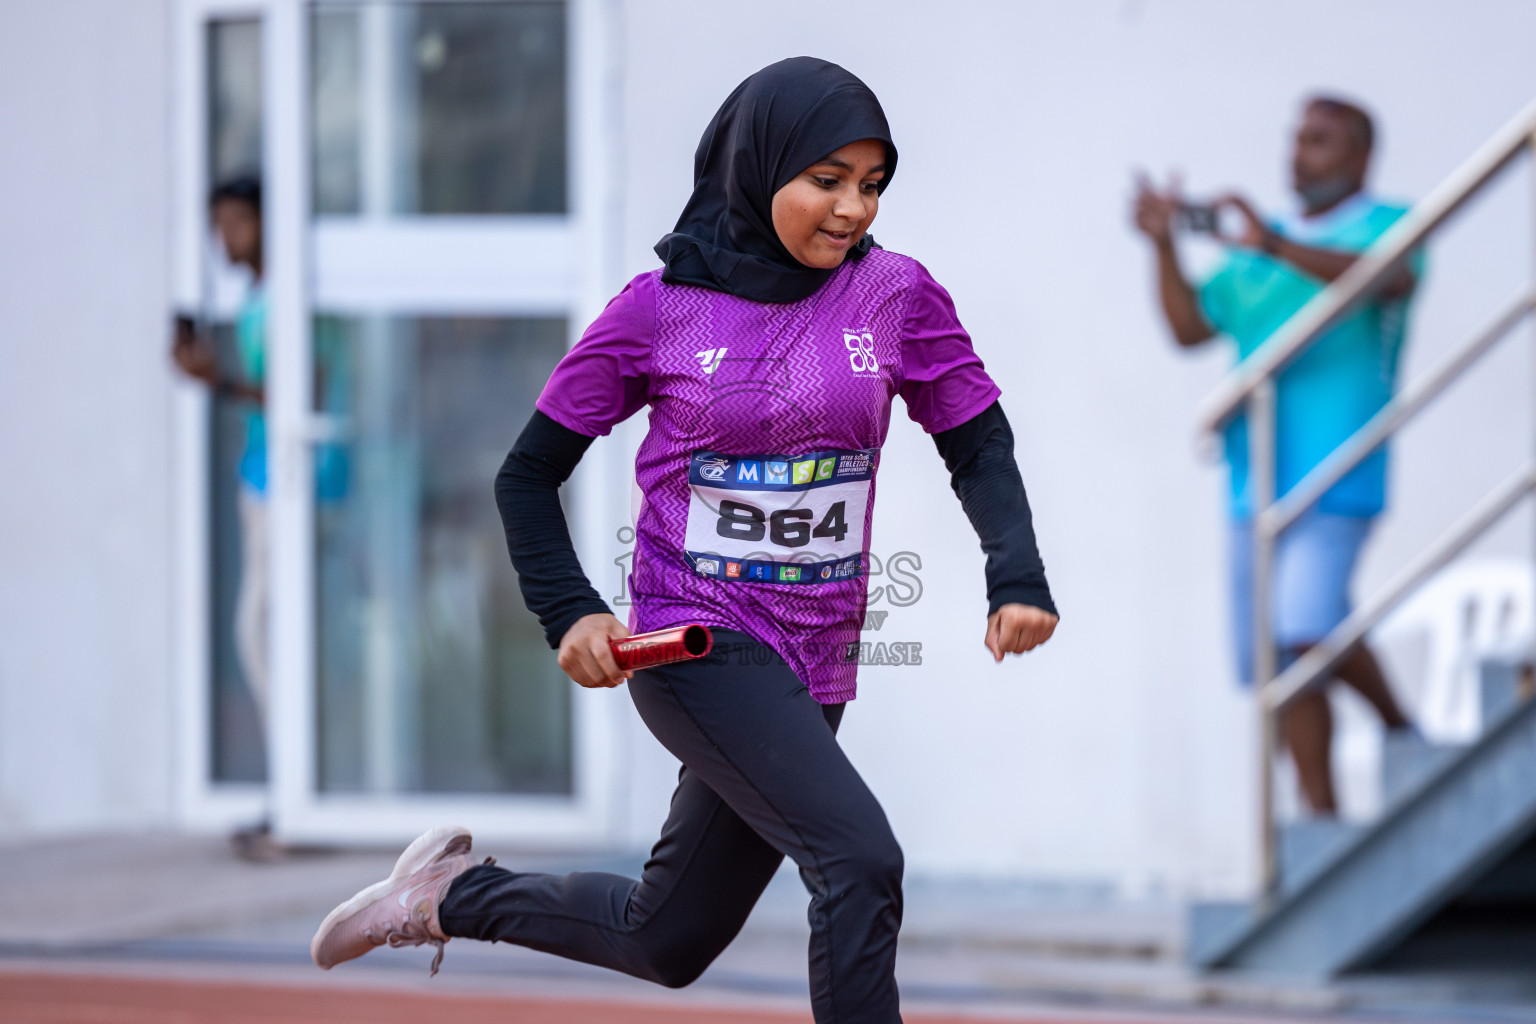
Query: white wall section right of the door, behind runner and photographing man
[[1122, 751]]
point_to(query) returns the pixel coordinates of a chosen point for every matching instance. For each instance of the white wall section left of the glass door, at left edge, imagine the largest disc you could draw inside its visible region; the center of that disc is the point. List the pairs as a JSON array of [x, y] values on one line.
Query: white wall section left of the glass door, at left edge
[[85, 394]]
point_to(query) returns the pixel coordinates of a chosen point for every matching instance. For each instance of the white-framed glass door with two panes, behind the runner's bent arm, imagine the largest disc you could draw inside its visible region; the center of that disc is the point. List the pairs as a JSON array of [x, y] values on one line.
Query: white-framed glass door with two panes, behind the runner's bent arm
[[431, 174]]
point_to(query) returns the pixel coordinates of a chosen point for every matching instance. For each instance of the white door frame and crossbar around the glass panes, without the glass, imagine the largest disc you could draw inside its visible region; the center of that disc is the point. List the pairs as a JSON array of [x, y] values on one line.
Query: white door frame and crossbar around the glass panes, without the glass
[[357, 266]]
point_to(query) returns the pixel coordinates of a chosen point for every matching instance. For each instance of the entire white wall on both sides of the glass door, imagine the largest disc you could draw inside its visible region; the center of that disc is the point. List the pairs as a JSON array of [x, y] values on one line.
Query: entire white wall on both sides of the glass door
[[1122, 751]]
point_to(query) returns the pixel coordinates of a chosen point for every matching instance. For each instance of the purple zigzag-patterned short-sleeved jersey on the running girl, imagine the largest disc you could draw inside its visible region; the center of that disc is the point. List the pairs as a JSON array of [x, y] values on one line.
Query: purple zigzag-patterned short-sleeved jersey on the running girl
[[766, 432]]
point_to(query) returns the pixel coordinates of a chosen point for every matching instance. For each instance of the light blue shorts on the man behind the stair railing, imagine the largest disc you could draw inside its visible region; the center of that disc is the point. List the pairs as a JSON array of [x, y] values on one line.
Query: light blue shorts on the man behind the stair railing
[[1314, 563]]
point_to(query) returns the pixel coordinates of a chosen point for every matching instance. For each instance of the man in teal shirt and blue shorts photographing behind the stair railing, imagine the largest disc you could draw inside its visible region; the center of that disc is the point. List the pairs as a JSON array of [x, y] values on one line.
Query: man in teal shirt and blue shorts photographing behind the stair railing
[[1271, 271]]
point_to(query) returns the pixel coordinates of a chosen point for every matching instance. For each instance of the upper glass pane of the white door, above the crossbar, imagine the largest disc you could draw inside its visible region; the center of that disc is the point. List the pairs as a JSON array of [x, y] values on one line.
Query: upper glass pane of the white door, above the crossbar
[[440, 108]]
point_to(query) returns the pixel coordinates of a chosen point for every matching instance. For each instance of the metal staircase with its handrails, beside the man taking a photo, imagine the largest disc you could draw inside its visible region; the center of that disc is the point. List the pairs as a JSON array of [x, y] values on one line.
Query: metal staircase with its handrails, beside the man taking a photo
[[1337, 897]]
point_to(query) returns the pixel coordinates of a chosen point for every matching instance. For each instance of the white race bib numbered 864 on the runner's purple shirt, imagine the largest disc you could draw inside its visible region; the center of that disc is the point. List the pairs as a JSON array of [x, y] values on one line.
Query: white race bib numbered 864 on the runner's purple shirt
[[780, 520]]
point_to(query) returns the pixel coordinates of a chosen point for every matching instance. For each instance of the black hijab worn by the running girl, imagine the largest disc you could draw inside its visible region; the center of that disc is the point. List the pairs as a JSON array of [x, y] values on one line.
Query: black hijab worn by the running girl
[[772, 128]]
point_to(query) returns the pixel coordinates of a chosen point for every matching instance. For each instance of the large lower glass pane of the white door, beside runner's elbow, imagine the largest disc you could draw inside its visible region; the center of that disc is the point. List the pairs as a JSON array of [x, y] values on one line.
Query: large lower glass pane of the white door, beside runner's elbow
[[432, 676]]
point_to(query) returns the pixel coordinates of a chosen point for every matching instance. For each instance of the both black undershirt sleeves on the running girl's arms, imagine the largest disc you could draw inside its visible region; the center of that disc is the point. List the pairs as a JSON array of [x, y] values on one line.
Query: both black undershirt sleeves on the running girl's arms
[[978, 454]]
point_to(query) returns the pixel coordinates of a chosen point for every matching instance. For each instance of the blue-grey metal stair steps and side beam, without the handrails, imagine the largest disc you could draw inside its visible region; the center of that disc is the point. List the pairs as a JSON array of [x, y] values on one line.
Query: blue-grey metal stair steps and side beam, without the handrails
[[1351, 894]]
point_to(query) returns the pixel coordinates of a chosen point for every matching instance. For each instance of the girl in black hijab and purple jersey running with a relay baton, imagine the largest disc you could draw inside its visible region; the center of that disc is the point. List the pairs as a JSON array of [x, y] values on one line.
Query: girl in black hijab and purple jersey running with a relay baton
[[769, 349]]
